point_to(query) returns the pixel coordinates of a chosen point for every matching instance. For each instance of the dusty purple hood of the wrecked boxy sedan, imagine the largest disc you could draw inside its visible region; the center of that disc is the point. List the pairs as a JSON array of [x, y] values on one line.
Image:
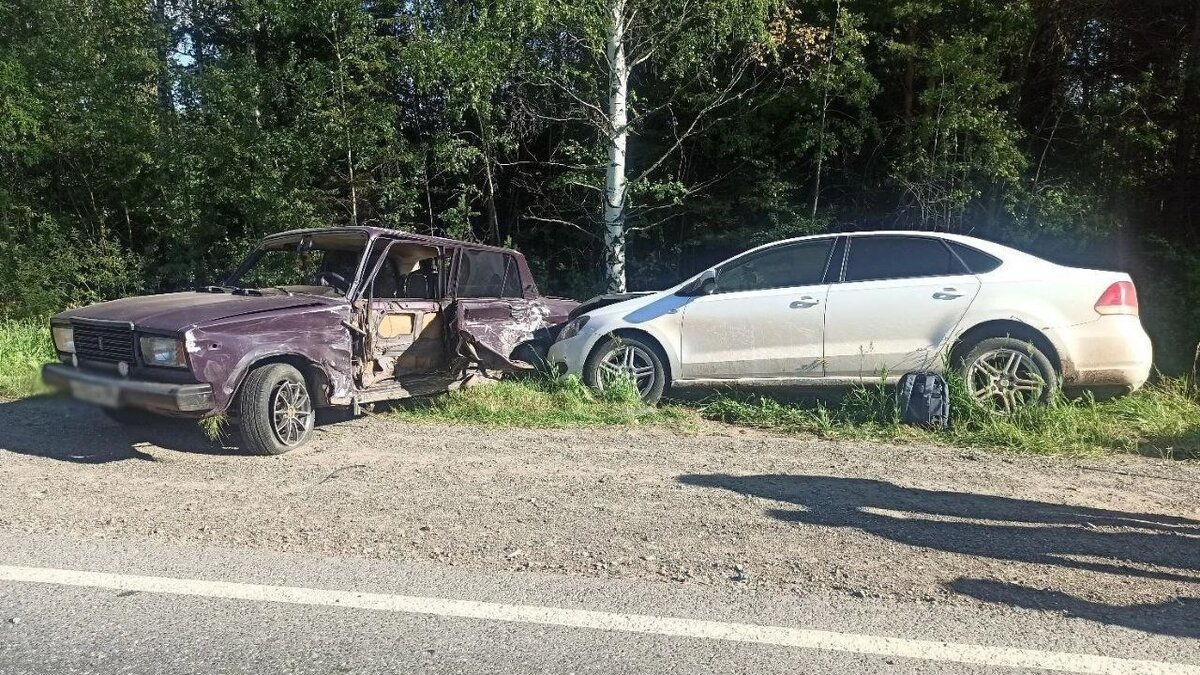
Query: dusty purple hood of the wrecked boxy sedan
[[181, 312]]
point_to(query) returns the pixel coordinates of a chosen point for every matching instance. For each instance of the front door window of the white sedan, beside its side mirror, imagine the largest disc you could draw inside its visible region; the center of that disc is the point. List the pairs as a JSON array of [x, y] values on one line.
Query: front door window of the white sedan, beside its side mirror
[[783, 267]]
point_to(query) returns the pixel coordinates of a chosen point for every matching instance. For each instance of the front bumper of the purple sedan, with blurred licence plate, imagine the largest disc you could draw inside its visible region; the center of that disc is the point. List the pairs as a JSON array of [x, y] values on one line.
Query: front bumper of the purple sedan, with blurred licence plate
[[116, 392]]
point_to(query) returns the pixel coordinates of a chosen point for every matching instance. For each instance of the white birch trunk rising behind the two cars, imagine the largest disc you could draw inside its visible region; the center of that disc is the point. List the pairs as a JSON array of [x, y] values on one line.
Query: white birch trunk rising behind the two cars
[[619, 136]]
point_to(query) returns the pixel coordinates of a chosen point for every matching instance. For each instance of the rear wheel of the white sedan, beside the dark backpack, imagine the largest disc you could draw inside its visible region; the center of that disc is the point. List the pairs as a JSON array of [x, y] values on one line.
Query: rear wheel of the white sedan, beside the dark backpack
[[1007, 374]]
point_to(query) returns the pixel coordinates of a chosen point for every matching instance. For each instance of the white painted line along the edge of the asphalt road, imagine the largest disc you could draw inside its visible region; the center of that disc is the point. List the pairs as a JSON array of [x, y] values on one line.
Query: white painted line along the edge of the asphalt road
[[829, 641]]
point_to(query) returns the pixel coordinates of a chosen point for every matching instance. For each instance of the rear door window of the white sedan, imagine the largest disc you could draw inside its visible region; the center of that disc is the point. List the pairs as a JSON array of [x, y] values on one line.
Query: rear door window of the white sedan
[[899, 258]]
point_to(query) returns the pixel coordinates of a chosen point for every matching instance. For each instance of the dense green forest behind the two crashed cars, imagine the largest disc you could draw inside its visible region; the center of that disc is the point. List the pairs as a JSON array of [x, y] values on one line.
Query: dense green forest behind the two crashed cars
[[145, 145]]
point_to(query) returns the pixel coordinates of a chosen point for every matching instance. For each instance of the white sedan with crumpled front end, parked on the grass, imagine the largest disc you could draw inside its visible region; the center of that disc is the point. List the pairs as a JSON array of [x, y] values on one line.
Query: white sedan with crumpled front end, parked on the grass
[[842, 309]]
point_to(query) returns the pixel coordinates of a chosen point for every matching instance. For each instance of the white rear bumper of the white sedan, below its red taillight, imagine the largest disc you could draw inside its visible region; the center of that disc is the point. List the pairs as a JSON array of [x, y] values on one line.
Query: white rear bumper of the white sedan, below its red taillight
[[1112, 351]]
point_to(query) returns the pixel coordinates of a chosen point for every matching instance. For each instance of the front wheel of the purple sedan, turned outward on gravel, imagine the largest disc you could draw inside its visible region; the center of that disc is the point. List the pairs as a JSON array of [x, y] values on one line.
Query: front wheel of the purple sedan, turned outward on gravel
[[275, 410]]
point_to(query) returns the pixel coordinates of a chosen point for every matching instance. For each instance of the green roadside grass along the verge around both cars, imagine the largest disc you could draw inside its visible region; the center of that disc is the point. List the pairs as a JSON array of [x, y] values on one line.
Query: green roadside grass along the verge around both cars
[[1162, 419]]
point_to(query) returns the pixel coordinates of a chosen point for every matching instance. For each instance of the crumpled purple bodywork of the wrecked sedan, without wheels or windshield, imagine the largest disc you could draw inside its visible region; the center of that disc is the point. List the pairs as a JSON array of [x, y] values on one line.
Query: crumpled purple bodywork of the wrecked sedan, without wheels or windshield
[[352, 347]]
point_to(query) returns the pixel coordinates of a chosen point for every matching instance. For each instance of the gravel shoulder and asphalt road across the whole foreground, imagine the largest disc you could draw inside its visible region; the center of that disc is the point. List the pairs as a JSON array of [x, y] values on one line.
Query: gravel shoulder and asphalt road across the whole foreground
[[387, 547]]
